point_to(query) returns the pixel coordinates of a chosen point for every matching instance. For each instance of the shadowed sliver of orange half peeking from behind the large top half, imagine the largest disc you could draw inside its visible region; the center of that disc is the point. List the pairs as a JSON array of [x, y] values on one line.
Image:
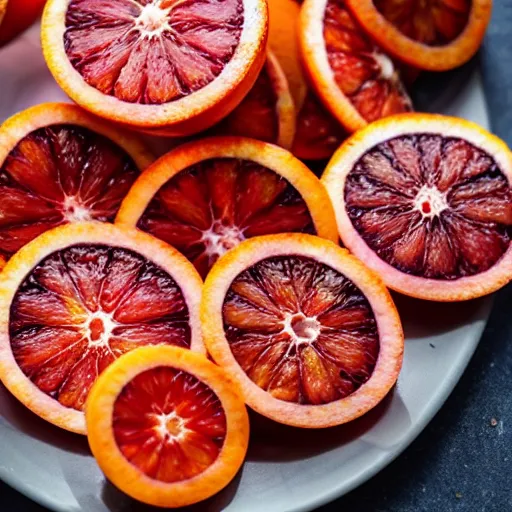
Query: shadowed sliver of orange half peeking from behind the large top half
[[267, 113]]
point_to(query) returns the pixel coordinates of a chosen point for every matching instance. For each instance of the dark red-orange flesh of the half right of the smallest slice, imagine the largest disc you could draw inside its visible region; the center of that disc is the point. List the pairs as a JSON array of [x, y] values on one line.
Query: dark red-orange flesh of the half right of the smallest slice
[[301, 330]]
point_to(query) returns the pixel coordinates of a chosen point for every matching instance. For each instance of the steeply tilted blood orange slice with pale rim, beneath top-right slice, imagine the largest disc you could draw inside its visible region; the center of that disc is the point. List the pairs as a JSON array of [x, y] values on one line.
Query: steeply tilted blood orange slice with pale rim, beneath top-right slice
[[356, 81]]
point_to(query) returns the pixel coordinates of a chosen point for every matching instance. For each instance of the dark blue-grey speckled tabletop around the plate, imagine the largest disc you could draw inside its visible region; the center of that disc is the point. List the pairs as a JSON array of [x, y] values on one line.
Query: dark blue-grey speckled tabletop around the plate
[[463, 459]]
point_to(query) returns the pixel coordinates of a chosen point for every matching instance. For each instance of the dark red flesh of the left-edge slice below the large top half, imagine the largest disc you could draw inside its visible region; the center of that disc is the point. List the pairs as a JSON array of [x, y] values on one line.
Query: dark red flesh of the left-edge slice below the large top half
[[60, 174]]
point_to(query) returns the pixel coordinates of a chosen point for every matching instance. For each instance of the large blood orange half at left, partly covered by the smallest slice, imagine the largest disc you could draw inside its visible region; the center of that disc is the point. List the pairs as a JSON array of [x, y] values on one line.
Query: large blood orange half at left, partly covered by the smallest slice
[[79, 296]]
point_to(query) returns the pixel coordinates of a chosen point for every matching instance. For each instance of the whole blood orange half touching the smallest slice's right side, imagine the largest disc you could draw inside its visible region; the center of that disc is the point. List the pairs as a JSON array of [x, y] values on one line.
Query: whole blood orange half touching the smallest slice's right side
[[309, 334]]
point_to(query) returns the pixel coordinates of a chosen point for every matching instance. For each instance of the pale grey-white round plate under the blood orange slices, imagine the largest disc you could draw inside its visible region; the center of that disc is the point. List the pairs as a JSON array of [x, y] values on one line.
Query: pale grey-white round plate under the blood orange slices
[[286, 470]]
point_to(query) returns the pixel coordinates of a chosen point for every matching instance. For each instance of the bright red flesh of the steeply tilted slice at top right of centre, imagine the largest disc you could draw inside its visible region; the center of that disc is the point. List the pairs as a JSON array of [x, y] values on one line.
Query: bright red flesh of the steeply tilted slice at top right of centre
[[362, 72]]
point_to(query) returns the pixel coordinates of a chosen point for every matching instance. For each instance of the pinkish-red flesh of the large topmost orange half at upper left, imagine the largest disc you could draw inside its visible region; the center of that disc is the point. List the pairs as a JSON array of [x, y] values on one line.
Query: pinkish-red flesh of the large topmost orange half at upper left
[[151, 51]]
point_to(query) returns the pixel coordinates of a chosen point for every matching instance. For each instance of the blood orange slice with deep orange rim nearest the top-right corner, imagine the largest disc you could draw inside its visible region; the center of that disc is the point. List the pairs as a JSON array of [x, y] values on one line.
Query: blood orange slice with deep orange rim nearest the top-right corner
[[435, 35]]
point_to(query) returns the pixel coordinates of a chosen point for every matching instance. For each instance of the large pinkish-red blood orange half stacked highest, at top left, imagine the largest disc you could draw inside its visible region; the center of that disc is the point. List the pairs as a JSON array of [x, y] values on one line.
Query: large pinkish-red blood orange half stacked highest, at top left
[[163, 66]]
